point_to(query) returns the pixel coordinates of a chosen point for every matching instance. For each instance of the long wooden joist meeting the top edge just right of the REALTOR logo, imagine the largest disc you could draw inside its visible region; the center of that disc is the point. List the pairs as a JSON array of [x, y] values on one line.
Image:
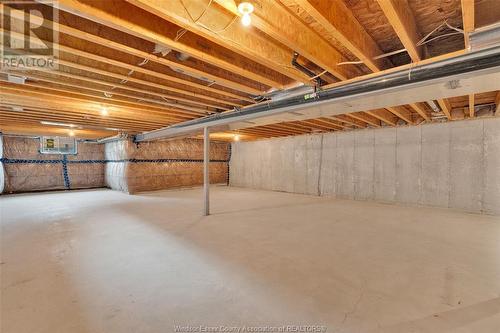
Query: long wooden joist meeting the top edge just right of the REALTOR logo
[[120, 16]]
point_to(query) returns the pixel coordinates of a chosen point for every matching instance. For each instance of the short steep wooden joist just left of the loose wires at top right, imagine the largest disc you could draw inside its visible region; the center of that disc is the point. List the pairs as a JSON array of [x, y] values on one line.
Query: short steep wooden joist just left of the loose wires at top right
[[399, 14]]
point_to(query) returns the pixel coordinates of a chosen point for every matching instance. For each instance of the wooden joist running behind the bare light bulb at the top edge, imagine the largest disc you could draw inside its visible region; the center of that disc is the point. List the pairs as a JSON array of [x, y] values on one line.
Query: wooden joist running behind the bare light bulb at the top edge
[[277, 22]]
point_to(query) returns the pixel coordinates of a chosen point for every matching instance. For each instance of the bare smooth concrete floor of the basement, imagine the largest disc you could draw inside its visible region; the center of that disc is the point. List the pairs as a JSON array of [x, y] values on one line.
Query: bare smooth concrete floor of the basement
[[104, 261]]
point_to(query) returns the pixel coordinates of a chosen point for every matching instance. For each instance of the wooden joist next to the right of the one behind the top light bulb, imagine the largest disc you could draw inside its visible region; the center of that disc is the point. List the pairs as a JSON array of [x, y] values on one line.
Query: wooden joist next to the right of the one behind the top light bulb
[[341, 23]]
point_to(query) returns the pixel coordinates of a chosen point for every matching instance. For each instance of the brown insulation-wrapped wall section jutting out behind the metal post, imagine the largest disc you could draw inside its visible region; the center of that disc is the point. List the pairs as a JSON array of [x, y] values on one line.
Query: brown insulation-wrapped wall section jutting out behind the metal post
[[162, 165]]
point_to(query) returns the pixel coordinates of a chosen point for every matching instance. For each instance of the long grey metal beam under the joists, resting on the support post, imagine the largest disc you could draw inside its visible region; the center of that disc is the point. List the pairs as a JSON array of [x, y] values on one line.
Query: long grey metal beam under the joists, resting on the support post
[[464, 74]]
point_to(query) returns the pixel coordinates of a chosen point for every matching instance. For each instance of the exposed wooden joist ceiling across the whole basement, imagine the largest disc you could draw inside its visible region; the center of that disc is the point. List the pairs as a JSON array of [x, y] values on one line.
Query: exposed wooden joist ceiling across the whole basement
[[154, 63]]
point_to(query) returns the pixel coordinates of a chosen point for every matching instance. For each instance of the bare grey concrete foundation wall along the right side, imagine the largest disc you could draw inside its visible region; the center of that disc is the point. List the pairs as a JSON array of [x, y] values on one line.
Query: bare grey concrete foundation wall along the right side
[[454, 165]]
